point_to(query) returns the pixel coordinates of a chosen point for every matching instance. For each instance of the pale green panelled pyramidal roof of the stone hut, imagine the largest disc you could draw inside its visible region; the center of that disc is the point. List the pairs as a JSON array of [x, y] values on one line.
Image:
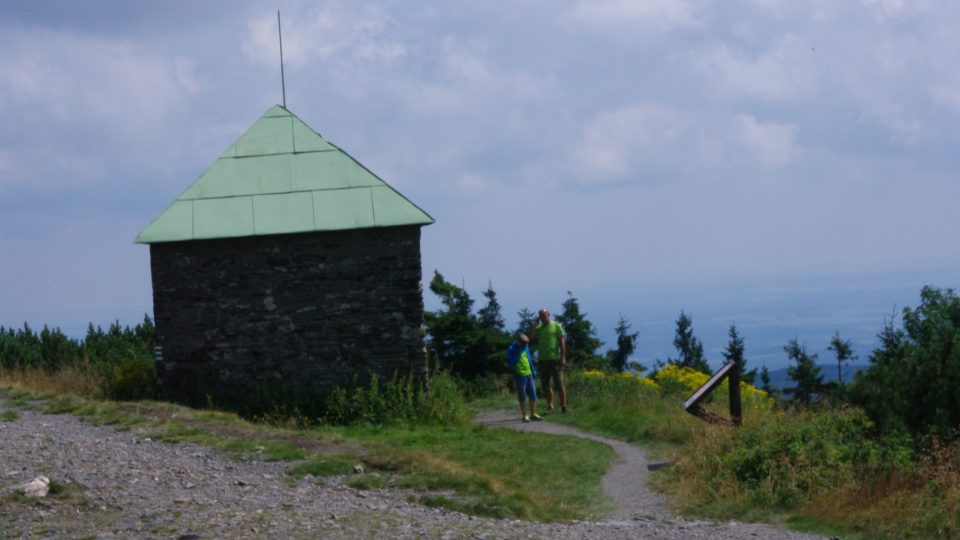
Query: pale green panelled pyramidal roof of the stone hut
[[281, 177]]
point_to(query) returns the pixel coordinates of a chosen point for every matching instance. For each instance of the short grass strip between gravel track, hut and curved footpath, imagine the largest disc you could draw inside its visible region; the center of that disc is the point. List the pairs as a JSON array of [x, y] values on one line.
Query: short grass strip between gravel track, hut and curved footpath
[[490, 472]]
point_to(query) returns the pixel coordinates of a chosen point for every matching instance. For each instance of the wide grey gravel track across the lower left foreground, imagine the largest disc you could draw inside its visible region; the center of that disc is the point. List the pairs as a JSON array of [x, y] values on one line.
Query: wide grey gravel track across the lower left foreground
[[121, 484]]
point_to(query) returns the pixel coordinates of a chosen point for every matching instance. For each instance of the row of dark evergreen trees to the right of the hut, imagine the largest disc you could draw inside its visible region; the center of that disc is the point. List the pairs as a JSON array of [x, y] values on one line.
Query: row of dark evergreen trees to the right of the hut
[[911, 385]]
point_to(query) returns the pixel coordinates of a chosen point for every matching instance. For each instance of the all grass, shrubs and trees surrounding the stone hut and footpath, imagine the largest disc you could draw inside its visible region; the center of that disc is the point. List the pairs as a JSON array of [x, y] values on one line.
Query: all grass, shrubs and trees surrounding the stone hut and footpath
[[878, 458]]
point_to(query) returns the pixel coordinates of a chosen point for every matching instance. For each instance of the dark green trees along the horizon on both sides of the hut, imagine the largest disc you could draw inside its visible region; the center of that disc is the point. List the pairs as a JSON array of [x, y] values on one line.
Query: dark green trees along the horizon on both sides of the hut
[[910, 385]]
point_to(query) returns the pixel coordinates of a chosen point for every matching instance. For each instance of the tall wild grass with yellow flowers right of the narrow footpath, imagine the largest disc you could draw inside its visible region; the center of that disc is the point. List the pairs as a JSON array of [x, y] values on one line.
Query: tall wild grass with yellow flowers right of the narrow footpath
[[825, 466]]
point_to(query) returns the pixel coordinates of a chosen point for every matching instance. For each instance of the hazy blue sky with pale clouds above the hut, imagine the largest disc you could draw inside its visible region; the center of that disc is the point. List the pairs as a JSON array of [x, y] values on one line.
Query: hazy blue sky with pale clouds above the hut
[[560, 145]]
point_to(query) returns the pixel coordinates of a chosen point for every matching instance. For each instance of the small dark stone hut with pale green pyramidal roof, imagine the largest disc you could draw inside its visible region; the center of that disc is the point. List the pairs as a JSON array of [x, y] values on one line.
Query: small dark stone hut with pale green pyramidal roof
[[285, 269]]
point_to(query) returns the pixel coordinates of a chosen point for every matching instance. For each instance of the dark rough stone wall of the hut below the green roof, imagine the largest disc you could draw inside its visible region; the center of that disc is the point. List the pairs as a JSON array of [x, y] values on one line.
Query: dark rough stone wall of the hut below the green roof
[[252, 323]]
